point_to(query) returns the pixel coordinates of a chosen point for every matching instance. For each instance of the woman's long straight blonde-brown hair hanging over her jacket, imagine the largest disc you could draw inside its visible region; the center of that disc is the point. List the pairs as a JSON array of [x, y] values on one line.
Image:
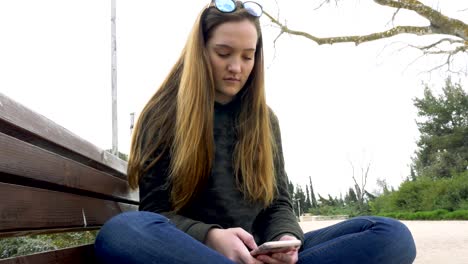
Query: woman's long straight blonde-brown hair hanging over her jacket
[[178, 121]]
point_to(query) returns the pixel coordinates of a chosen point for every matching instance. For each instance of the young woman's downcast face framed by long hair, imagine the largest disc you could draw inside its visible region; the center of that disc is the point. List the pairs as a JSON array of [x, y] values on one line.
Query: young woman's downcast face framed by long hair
[[231, 50]]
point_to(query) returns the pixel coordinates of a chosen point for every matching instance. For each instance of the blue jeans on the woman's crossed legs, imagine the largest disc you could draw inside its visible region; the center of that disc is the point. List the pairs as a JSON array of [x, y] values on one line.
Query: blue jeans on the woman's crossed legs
[[145, 237]]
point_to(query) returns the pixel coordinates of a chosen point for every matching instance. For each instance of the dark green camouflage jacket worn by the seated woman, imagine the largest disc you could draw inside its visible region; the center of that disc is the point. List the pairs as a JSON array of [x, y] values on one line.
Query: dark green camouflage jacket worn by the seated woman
[[220, 204]]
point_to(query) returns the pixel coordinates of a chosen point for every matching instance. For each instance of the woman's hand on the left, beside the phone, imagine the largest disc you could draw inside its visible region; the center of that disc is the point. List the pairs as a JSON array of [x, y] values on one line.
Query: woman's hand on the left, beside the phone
[[234, 243]]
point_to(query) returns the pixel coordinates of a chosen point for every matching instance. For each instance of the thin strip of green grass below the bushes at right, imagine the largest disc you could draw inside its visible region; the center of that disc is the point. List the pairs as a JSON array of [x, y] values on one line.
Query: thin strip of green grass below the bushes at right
[[429, 215]]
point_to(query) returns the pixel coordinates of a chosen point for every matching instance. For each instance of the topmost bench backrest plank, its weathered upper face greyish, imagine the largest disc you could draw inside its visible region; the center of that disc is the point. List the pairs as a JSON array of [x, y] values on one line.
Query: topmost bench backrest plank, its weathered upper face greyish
[[14, 114]]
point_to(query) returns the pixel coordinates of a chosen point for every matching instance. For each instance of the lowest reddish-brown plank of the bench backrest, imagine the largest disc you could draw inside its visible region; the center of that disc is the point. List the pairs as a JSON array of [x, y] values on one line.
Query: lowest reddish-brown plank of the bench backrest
[[26, 208]]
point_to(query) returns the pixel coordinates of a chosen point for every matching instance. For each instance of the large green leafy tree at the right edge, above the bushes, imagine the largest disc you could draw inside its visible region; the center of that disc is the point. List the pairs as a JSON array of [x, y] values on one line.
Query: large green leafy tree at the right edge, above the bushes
[[443, 126]]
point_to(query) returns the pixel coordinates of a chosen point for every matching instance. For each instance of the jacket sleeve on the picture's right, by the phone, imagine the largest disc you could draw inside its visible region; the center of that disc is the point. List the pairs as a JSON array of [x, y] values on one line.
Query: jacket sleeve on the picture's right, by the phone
[[278, 219]]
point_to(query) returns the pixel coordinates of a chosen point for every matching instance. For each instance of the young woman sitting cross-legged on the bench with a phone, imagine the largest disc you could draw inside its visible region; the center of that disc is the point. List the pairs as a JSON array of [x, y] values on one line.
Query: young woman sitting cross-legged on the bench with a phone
[[206, 155]]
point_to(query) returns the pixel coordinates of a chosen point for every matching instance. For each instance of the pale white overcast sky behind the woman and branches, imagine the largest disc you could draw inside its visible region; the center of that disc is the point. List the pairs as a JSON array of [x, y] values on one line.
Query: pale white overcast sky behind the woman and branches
[[336, 104]]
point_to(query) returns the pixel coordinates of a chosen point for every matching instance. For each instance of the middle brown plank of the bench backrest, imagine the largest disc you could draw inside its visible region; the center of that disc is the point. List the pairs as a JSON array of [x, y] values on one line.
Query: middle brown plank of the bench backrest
[[31, 162]]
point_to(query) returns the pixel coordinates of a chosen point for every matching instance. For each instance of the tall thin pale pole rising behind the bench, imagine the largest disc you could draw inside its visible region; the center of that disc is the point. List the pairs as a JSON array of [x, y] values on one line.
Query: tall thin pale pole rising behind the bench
[[115, 143]]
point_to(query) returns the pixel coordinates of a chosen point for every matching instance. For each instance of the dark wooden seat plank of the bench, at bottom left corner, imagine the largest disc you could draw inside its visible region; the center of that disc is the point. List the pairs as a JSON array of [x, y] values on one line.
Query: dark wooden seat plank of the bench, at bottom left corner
[[74, 255]]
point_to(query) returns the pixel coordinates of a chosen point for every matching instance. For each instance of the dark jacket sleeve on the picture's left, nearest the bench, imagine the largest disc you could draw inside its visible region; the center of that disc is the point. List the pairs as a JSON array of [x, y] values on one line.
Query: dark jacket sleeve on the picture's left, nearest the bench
[[155, 197]]
